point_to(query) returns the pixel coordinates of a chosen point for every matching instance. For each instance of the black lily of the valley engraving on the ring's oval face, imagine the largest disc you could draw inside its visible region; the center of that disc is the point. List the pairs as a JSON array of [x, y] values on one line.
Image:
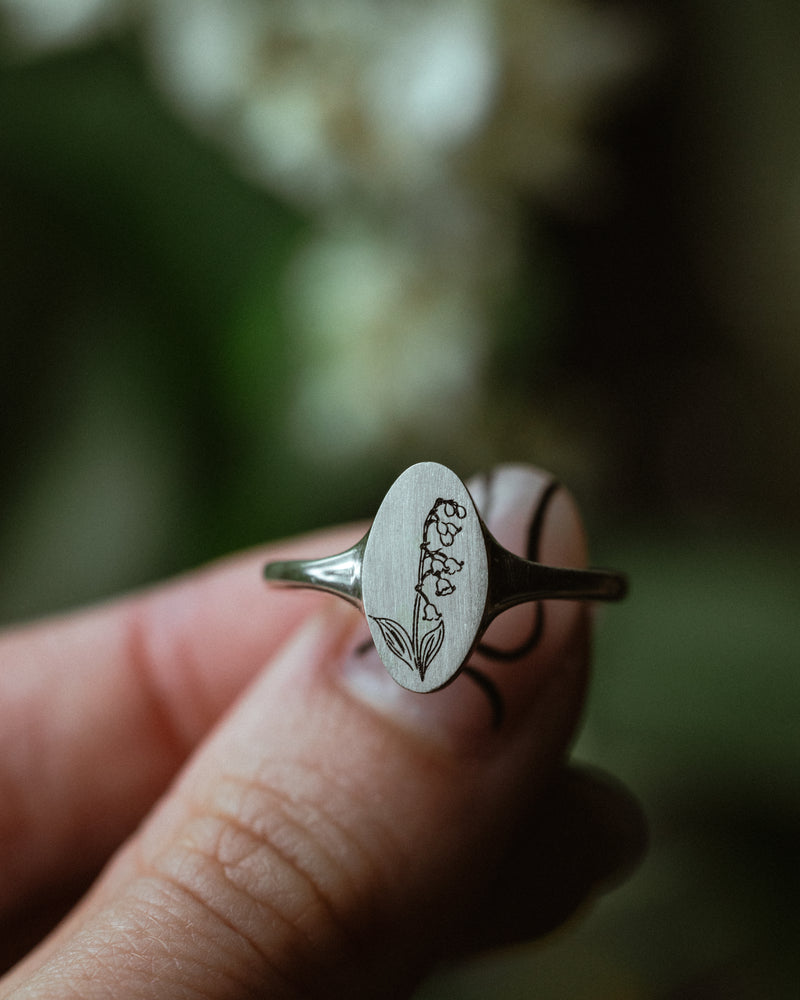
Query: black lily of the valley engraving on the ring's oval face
[[434, 572]]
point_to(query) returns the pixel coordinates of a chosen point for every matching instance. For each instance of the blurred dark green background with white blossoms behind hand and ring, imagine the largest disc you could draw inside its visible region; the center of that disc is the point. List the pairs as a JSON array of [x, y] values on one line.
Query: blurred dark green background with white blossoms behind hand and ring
[[256, 257]]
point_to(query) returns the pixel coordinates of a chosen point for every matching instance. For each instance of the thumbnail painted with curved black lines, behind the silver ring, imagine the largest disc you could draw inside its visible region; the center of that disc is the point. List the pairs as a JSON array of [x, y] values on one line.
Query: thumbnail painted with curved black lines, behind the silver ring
[[531, 515]]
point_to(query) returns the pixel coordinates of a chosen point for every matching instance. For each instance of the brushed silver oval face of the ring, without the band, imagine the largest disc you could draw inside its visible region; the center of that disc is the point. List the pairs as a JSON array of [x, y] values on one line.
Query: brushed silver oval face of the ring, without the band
[[424, 579]]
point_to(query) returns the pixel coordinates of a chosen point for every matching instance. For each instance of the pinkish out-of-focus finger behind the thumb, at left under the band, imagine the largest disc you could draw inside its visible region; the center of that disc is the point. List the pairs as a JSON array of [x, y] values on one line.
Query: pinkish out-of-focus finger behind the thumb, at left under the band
[[99, 709]]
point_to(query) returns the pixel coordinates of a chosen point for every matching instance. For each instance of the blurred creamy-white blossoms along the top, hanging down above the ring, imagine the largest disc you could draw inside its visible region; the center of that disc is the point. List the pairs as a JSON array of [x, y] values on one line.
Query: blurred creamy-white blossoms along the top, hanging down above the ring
[[421, 123]]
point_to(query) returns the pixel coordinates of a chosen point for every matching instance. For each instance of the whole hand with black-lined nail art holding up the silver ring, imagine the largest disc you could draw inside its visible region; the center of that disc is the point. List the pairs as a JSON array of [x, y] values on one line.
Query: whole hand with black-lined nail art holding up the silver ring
[[281, 818]]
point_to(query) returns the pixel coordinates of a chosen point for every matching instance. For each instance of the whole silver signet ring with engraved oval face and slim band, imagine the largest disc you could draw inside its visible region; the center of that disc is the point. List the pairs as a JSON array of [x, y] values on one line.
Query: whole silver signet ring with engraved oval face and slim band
[[430, 578]]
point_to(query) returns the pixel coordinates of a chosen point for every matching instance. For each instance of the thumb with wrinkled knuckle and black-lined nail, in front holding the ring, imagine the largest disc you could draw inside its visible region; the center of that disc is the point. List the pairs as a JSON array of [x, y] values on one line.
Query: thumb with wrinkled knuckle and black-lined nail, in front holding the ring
[[336, 833]]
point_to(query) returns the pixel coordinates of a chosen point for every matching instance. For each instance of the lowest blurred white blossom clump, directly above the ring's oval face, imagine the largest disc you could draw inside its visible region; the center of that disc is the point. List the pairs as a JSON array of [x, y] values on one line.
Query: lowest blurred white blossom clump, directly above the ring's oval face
[[391, 347]]
